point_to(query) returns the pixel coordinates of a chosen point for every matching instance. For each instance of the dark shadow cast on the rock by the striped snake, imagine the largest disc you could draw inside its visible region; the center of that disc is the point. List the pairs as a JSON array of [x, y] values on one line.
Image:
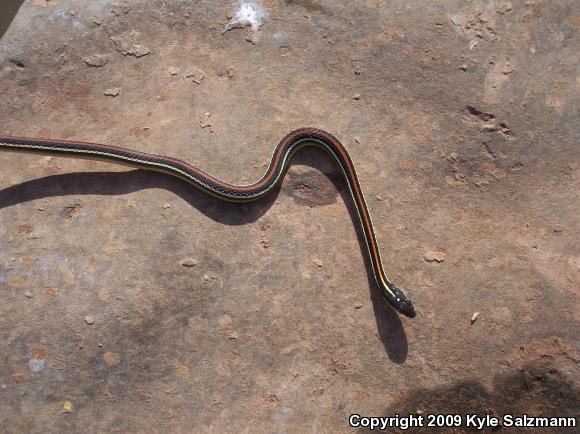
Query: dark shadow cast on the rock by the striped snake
[[389, 325]]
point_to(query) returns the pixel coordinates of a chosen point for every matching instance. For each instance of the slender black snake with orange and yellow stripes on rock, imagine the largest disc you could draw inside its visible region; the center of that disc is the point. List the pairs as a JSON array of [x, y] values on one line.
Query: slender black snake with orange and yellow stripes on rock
[[272, 177]]
